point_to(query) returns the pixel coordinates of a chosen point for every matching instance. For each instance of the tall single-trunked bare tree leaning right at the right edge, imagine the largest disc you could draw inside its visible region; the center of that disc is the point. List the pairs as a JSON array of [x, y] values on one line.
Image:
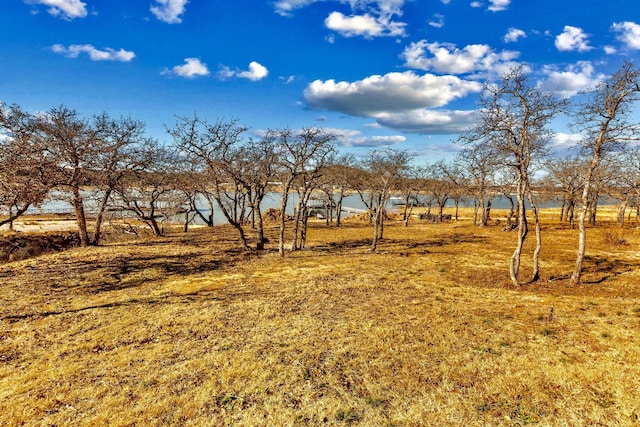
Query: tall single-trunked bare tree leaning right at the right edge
[[605, 122]]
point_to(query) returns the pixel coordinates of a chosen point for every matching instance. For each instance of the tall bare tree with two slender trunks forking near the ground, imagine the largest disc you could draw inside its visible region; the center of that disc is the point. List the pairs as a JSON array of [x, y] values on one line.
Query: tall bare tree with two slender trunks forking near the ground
[[513, 121]]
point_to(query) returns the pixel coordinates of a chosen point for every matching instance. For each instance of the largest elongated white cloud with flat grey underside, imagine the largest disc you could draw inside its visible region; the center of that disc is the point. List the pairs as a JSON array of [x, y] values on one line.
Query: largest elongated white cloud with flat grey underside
[[393, 92]]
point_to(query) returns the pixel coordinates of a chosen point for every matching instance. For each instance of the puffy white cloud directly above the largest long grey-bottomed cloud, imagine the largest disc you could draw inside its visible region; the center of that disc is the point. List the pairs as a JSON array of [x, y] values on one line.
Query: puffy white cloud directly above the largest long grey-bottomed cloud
[[447, 58]]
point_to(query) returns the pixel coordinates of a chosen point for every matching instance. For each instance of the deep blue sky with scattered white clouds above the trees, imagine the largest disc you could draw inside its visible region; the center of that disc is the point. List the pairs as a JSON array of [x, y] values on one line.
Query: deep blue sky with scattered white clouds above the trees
[[398, 73]]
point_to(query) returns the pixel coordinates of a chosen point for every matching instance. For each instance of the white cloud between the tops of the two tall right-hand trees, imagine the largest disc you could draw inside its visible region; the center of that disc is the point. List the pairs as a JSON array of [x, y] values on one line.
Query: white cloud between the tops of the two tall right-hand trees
[[572, 80]]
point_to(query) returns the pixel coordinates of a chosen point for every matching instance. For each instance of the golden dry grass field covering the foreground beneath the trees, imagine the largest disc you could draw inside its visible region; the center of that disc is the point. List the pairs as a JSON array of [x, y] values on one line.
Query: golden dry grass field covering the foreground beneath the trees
[[190, 330]]
